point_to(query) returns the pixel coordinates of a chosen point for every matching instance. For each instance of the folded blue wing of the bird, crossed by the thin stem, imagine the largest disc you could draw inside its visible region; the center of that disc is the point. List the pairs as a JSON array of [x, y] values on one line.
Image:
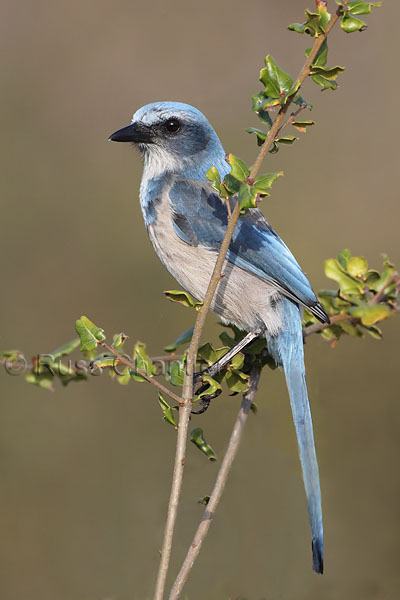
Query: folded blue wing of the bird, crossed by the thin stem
[[200, 217]]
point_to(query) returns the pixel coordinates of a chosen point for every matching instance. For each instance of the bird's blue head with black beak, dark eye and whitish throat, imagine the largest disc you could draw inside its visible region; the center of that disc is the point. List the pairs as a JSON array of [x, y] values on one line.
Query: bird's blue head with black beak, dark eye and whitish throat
[[174, 138]]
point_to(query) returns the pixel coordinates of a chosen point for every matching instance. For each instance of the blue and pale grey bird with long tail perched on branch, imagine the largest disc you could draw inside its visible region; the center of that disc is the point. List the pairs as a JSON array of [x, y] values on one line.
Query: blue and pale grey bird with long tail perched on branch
[[263, 290]]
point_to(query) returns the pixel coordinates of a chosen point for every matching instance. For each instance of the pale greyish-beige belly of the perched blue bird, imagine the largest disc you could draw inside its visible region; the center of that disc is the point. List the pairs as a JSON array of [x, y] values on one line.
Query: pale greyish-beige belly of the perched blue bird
[[241, 298]]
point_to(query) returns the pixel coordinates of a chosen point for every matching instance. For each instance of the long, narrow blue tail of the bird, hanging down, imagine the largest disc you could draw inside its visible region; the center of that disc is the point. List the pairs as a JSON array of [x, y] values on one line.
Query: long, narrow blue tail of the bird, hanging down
[[287, 350]]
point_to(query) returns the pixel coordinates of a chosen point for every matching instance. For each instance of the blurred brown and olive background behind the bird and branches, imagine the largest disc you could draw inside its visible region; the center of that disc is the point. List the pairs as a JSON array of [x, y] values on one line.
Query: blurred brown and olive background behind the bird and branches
[[85, 472]]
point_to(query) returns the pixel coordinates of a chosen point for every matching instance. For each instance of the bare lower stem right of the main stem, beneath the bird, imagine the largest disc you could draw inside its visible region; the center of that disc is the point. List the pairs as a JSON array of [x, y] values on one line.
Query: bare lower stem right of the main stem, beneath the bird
[[219, 486]]
